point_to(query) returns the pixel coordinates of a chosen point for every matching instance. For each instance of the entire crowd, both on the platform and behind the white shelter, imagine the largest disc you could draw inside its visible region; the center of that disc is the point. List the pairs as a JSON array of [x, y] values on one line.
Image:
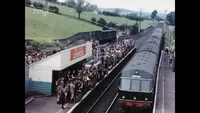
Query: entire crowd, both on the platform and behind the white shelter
[[73, 84]]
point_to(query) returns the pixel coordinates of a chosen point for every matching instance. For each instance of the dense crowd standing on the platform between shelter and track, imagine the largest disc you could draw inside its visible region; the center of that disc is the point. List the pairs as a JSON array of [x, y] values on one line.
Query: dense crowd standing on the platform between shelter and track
[[73, 84]]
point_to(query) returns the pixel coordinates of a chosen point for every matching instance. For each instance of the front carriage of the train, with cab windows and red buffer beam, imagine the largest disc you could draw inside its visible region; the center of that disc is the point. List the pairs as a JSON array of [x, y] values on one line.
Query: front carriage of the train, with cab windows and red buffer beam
[[138, 80]]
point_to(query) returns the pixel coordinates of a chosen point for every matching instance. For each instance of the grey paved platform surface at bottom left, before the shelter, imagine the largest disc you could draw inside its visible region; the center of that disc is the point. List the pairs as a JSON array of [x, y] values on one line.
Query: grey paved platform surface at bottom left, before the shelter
[[46, 105]]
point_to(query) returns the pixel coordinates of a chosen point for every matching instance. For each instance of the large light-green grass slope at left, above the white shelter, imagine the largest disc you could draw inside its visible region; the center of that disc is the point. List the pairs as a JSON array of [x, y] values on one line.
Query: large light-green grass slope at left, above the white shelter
[[53, 26]]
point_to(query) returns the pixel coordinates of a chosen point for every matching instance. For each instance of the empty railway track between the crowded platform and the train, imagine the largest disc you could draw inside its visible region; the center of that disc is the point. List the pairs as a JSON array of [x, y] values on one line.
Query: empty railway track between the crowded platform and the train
[[107, 102]]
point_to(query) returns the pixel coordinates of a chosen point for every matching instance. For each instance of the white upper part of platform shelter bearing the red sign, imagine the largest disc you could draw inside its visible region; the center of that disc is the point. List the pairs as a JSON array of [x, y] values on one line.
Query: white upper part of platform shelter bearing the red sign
[[62, 60]]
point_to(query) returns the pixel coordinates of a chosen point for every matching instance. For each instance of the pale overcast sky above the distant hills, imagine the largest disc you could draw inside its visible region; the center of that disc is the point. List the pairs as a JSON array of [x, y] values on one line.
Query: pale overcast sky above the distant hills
[[135, 5]]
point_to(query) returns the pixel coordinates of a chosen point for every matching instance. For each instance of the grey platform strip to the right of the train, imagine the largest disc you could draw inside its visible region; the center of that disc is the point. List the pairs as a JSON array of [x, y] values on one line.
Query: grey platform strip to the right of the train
[[166, 88]]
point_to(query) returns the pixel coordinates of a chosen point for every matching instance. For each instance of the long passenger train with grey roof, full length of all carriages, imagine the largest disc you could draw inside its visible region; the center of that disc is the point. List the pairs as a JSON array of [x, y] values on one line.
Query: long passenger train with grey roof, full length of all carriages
[[136, 90]]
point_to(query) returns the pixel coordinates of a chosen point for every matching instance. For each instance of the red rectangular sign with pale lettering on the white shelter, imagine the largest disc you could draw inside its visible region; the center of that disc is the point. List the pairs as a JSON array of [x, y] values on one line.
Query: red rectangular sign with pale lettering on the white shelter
[[77, 52]]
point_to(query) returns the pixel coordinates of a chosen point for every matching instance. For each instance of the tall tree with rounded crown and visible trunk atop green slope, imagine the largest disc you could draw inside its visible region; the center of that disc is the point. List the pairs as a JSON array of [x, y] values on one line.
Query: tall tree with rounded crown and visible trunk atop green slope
[[81, 5]]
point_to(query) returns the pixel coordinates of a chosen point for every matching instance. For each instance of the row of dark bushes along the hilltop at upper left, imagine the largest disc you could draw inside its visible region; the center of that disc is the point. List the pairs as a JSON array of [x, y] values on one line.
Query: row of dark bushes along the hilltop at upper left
[[41, 6]]
